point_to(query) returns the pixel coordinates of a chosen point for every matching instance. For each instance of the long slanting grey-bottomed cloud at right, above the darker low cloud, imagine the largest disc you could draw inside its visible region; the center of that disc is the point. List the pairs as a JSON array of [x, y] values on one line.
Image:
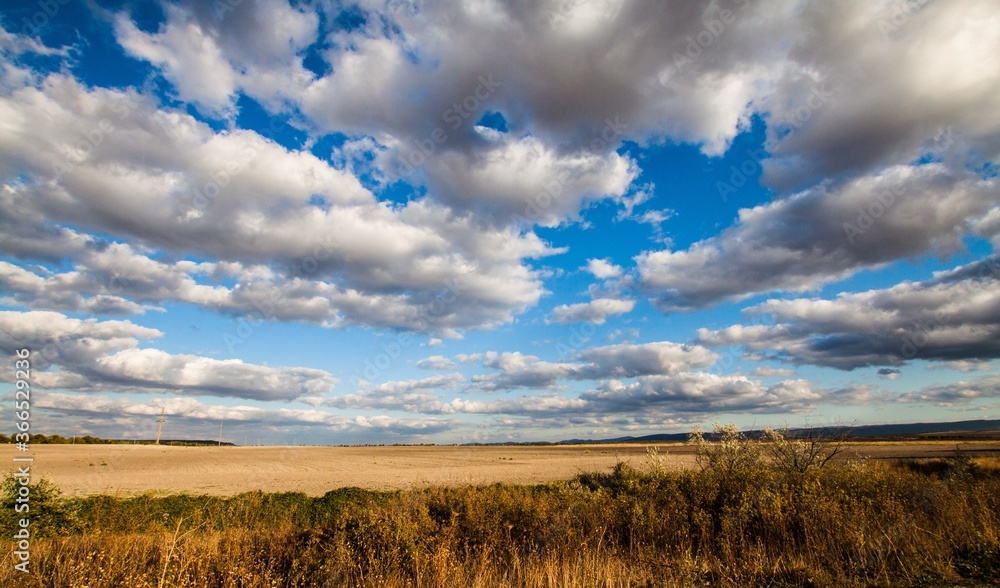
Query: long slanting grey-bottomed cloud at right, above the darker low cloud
[[820, 235]]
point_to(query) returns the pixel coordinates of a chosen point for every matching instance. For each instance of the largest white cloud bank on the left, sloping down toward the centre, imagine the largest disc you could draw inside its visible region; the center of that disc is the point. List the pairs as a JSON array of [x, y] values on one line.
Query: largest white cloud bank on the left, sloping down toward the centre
[[164, 179]]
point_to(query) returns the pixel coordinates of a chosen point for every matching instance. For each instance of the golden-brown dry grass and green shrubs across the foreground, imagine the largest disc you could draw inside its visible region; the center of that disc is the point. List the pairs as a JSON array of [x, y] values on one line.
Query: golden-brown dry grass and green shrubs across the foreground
[[849, 524]]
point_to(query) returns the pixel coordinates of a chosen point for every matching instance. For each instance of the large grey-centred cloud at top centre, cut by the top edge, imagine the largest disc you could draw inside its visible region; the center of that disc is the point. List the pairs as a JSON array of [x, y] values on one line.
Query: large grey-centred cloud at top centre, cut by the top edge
[[619, 70]]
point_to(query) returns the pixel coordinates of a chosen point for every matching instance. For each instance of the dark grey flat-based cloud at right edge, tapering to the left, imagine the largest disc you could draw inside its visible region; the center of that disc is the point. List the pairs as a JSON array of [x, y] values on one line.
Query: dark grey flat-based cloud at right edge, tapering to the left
[[955, 316]]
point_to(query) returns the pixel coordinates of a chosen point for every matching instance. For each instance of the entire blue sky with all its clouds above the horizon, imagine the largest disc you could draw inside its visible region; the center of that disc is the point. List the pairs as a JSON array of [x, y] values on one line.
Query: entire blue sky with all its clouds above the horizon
[[404, 221]]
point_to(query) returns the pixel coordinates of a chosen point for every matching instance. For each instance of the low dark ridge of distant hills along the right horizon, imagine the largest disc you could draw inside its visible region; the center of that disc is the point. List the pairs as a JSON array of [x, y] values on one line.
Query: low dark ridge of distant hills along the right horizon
[[957, 428]]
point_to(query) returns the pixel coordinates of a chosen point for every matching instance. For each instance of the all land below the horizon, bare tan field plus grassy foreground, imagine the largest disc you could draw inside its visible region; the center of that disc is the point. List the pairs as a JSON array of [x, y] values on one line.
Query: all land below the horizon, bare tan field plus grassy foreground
[[730, 513]]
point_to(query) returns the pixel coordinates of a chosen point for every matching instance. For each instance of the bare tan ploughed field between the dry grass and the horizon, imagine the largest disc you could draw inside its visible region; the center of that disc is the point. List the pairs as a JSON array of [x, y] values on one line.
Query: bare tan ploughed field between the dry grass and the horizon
[[133, 469]]
